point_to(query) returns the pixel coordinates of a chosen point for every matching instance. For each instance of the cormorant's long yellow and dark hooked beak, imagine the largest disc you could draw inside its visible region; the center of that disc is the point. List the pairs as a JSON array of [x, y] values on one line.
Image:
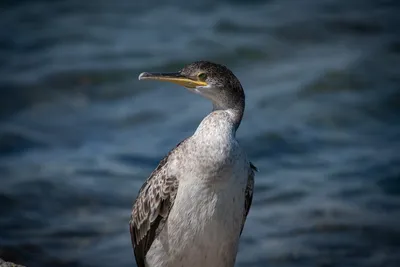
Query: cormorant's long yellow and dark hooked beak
[[174, 78]]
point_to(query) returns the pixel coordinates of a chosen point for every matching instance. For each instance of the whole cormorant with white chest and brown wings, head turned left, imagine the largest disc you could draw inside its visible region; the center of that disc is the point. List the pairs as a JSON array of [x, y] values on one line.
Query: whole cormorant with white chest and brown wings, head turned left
[[191, 210]]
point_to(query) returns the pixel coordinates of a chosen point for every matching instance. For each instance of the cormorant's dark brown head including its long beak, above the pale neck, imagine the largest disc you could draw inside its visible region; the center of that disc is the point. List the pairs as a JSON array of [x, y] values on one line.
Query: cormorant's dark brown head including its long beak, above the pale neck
[[213, 81]]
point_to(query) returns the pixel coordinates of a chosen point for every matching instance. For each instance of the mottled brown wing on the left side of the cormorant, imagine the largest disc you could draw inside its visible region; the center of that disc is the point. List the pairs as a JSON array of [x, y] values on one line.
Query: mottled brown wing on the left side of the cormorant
[[151, 209]]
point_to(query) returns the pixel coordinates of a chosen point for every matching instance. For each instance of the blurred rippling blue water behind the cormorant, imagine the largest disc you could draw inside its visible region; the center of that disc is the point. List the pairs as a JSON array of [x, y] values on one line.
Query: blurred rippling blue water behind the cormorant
[[79, 134]]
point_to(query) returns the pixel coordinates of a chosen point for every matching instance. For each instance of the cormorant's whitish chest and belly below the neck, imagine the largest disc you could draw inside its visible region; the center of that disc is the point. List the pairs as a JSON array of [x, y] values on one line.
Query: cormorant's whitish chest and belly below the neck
[[204, 224]]
